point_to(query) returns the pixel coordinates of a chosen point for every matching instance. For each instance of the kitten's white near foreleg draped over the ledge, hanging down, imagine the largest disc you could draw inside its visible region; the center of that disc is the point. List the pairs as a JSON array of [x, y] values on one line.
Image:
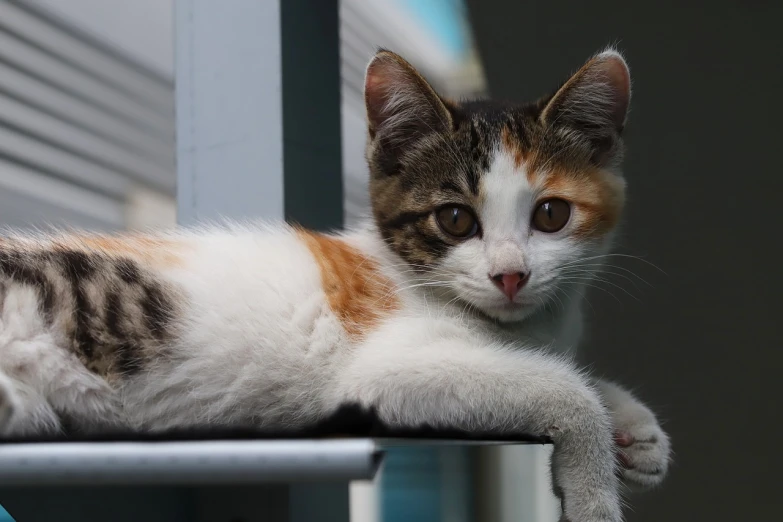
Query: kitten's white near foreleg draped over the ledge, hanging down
[[428, 371]]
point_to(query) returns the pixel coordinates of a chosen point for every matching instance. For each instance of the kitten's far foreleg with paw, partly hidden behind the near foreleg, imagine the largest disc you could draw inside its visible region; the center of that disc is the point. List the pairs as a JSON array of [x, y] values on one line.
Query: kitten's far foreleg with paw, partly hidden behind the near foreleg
[[643, 447]]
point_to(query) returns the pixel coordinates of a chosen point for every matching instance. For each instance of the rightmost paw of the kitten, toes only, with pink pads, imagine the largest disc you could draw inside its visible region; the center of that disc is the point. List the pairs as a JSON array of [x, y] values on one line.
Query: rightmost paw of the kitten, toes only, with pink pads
[[644, 453]]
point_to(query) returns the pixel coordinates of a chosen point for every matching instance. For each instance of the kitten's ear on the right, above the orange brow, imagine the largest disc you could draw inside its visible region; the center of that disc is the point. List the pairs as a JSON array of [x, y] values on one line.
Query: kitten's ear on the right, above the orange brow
[[595, 100]]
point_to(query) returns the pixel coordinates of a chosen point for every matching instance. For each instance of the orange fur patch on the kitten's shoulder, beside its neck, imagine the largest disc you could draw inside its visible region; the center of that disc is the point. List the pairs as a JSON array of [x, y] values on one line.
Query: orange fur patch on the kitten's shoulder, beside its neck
[[357, 292]]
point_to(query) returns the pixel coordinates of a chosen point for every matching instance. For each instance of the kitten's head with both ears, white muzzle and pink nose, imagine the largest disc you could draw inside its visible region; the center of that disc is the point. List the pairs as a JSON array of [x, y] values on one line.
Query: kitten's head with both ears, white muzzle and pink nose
[[501, 204]]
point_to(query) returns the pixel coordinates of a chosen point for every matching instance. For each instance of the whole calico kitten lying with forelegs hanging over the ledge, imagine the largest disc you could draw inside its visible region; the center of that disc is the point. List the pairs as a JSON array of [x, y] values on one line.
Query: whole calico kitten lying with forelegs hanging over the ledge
[[452, 307]]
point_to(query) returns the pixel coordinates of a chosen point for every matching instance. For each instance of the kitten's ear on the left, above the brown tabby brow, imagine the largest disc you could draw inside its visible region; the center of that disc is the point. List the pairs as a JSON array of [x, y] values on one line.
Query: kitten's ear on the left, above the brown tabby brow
[[401, 105]]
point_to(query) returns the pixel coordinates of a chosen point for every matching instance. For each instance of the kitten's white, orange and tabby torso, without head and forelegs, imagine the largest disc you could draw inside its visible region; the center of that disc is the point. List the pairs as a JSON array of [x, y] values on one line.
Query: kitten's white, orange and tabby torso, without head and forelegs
[[151, 318]]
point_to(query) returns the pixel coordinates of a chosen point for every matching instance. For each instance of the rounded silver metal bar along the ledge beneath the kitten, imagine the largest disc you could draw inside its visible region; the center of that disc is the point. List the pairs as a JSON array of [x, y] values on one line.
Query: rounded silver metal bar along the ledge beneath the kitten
[[187, 463]]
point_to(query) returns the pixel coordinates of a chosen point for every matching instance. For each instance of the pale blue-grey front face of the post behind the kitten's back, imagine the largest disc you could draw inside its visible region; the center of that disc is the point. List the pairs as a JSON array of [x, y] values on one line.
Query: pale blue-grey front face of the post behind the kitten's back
[[229, 109]]
